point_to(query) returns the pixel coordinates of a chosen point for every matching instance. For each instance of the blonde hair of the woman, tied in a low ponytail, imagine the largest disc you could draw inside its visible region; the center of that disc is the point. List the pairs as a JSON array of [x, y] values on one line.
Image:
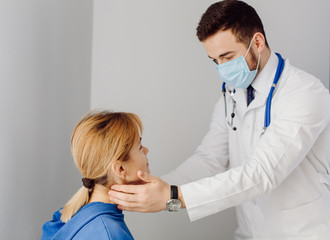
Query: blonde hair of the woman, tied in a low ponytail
[[97, 140]]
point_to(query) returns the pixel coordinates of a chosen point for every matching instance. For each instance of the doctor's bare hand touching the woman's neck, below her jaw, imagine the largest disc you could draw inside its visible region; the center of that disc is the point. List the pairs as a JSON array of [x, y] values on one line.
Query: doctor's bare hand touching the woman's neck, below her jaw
[[150, 196]]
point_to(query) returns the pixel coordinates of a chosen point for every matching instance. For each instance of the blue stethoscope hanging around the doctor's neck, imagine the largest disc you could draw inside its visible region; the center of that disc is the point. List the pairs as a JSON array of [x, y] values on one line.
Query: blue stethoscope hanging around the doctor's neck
[[230, 122]]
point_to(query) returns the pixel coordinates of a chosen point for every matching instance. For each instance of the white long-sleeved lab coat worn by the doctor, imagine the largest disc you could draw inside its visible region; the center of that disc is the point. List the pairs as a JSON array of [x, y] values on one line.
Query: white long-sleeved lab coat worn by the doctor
[[279, 182]]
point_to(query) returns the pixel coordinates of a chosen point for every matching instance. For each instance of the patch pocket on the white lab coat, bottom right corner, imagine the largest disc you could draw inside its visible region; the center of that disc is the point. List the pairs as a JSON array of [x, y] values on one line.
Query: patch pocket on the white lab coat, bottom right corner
[[308, 221]]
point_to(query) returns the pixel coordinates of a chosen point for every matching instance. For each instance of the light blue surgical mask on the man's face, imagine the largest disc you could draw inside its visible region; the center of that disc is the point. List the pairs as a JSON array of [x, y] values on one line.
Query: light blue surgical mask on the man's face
[[236, 73]]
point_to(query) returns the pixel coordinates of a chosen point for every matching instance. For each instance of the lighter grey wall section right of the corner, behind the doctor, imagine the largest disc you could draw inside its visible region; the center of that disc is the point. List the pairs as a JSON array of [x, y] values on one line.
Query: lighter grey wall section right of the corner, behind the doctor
[[147, 60]]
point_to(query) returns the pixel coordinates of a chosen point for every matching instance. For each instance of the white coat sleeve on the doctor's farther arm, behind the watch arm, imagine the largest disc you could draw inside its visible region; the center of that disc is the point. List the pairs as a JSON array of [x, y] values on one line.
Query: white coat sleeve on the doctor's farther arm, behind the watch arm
[[210, 157]]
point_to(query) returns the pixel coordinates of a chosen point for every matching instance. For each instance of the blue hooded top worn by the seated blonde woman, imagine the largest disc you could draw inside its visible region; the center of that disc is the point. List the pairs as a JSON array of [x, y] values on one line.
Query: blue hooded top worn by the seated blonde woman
[[95, 220]]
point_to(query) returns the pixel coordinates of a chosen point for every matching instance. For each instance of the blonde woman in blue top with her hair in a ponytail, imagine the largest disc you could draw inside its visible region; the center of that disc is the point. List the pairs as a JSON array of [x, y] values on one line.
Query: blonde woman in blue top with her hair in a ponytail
[[106, 148]]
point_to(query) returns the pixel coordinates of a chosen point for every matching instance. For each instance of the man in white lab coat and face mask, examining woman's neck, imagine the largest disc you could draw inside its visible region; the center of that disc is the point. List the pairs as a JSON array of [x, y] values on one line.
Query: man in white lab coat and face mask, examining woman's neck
[[267, 151]]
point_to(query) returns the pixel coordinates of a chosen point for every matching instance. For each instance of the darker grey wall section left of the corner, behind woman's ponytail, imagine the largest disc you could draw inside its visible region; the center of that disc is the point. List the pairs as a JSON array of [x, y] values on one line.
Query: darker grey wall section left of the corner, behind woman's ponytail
[[45, 69]]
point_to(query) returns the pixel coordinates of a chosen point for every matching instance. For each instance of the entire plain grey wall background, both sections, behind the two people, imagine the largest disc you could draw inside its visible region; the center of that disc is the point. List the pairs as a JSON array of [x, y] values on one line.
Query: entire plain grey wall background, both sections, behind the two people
[[60, 58]]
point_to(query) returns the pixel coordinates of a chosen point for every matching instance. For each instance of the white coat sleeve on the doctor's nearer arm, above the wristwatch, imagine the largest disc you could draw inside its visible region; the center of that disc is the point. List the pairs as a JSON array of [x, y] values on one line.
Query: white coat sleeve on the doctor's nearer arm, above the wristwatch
[[299, 120]]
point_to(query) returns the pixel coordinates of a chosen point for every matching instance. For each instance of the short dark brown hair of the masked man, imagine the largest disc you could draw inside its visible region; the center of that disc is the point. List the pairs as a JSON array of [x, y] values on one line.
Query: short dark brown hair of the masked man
[[238, 16]]
